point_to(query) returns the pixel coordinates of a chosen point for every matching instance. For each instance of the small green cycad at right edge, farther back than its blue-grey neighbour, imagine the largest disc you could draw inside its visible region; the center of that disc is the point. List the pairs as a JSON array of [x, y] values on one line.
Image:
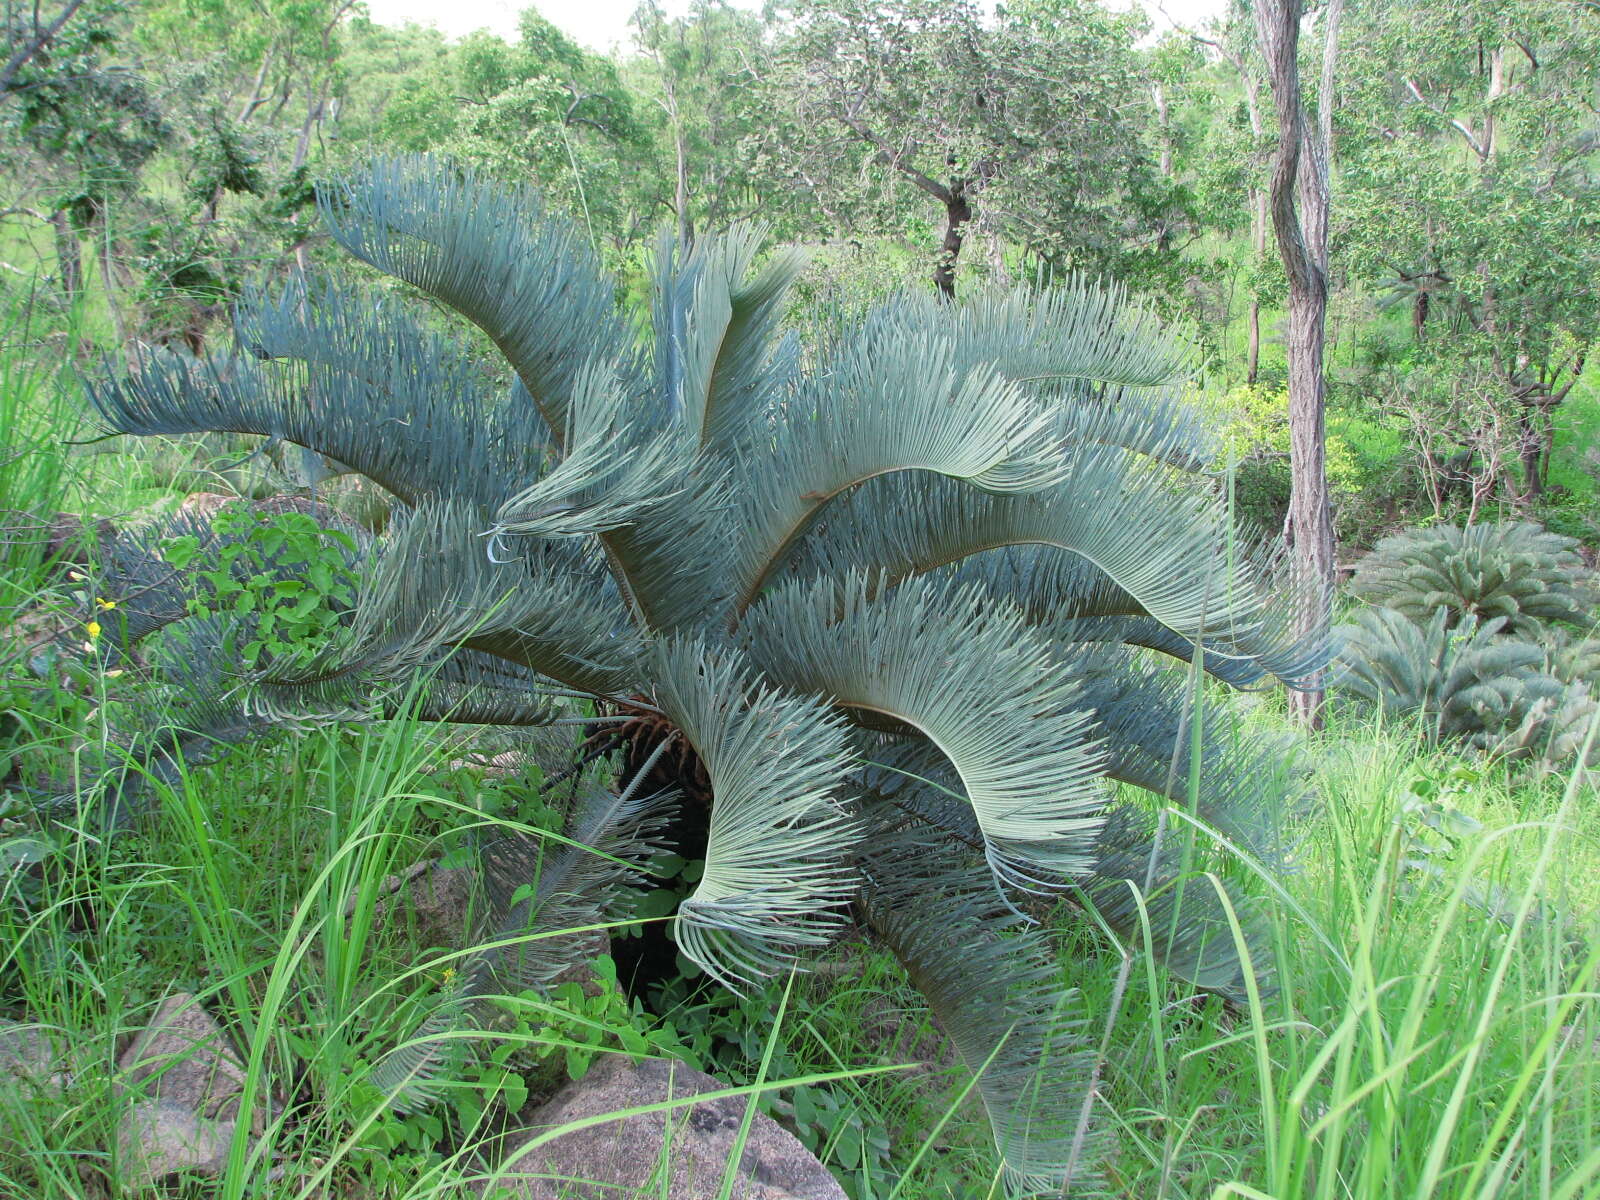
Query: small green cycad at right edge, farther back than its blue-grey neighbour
[[1514, 572]]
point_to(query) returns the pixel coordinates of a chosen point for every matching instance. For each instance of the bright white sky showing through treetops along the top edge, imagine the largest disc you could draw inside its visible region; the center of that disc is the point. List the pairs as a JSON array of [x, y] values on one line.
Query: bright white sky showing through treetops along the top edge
[[604, 23]]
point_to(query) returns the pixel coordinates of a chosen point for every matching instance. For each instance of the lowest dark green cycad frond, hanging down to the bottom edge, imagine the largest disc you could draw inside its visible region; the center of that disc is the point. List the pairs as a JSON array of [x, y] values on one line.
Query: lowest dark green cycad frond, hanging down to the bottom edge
[[996, 991]]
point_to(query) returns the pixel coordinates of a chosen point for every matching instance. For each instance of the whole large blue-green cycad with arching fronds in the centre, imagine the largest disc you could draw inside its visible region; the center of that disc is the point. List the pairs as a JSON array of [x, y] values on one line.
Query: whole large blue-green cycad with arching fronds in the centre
[[886, 606]]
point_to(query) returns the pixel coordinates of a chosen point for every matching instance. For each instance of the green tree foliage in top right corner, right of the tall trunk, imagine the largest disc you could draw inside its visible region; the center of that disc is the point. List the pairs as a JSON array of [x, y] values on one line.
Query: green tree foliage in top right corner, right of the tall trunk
[[1468, 185]]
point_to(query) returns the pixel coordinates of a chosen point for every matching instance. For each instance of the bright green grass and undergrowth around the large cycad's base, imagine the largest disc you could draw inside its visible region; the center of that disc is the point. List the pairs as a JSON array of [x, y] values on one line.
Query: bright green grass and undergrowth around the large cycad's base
[[1425, 1028]]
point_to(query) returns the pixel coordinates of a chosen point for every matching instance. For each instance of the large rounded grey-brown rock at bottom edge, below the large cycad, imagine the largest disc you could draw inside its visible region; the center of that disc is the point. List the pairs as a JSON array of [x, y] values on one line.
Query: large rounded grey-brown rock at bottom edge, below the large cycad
[[625, 1158]]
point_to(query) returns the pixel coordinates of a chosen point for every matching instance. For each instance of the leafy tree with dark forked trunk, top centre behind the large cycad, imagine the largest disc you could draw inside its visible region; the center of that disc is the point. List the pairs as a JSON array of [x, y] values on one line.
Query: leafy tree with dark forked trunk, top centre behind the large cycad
[[1033, 127]]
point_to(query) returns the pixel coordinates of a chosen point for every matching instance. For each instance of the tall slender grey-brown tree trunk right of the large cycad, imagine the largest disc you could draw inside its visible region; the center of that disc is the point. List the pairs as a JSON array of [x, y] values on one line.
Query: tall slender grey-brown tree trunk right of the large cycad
[[1302, 166]]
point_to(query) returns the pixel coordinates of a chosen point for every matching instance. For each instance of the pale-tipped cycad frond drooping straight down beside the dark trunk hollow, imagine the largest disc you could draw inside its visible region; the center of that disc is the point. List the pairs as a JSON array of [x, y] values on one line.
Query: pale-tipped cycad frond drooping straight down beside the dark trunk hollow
[[778, 855]]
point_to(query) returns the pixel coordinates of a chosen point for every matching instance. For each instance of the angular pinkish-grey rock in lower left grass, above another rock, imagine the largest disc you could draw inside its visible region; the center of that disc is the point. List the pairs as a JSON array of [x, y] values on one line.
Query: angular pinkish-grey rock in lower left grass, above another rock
[[183, 1057]]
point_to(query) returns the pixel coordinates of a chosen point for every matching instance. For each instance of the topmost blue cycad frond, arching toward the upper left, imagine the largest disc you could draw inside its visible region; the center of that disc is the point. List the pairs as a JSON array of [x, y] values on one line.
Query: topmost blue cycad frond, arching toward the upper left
[[495, 257]]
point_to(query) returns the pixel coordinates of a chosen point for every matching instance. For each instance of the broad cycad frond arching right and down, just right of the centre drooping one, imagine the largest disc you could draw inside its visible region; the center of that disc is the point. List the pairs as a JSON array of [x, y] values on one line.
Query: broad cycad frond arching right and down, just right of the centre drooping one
[[964, 671]]
